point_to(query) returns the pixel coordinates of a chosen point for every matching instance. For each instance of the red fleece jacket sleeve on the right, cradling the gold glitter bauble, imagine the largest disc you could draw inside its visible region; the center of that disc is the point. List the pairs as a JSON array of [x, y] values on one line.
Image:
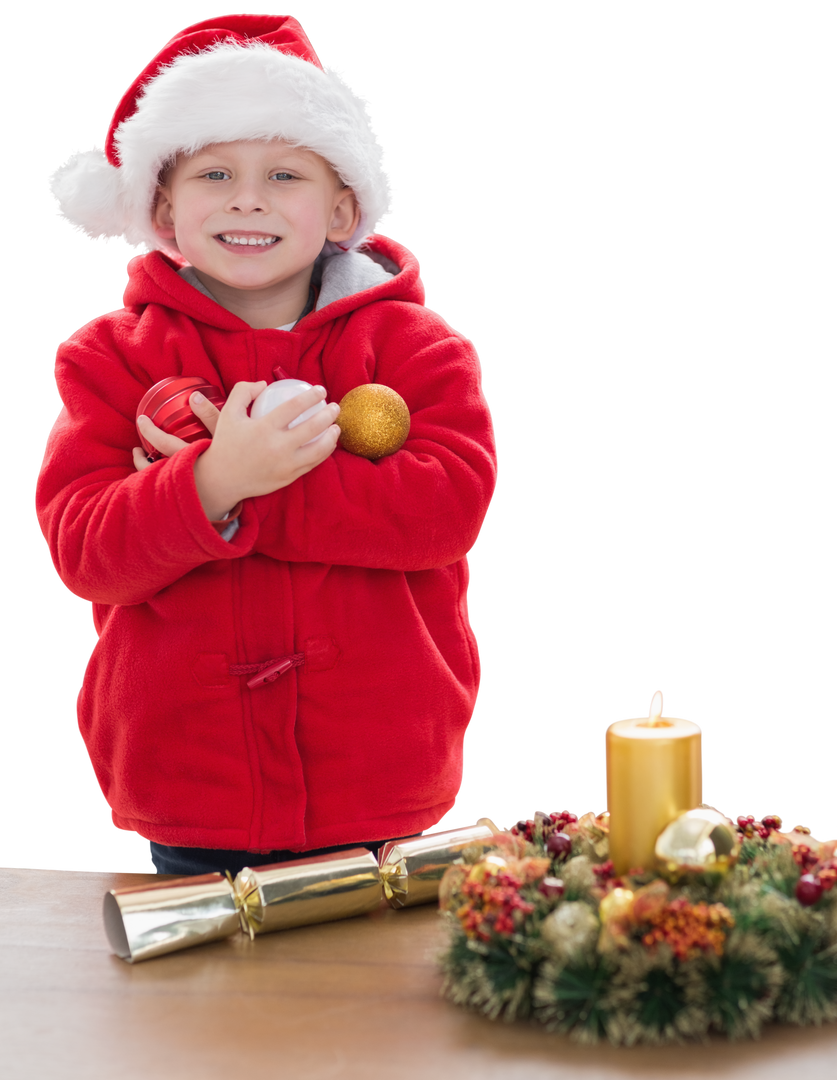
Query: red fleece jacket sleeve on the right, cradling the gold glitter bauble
[[425, 506]]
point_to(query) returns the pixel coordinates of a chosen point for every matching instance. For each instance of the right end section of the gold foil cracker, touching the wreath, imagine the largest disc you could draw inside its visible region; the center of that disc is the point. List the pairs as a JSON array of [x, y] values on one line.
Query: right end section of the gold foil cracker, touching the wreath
[[412, 871]]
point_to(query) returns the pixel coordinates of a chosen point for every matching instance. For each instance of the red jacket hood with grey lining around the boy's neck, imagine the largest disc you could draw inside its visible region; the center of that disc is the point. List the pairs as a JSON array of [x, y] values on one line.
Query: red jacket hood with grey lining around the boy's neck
[[384, 269]]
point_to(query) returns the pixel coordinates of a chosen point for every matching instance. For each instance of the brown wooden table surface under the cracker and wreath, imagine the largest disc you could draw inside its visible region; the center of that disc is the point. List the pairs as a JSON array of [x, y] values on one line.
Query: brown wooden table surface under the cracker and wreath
[[354, 1000]]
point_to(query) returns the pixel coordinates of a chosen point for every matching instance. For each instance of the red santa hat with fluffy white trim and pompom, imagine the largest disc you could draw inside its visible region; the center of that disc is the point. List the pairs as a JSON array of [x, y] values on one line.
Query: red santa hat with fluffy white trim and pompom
[[220, 80]]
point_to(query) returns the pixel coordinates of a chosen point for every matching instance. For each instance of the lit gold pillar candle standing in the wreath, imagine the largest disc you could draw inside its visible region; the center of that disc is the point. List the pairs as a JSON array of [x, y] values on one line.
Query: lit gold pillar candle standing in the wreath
[[654, 773]]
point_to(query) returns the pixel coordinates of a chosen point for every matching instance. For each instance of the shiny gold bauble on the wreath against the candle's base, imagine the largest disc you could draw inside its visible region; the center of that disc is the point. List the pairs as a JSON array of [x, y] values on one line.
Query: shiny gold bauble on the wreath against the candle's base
[[697, 842]]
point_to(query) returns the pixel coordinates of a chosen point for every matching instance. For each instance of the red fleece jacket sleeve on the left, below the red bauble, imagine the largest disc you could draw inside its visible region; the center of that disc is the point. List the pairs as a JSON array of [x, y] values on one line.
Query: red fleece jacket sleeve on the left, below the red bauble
[[115, 535]]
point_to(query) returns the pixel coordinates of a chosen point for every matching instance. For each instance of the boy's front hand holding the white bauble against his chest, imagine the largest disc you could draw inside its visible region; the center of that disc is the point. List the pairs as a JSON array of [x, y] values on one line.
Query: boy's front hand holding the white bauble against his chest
[[249, 457]]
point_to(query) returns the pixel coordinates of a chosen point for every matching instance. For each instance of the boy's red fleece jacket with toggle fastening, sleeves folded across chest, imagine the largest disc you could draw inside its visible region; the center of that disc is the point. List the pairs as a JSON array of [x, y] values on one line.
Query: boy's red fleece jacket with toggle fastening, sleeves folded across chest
[[358, 573]]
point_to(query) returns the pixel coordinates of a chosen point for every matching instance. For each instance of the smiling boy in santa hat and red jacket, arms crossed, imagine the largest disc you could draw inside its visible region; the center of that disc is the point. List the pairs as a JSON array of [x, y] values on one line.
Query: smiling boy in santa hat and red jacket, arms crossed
[[285, 658]]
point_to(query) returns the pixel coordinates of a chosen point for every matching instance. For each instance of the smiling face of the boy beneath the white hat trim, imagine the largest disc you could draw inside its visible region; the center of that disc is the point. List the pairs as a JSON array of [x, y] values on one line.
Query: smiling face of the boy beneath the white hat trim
[[288, 197]]
